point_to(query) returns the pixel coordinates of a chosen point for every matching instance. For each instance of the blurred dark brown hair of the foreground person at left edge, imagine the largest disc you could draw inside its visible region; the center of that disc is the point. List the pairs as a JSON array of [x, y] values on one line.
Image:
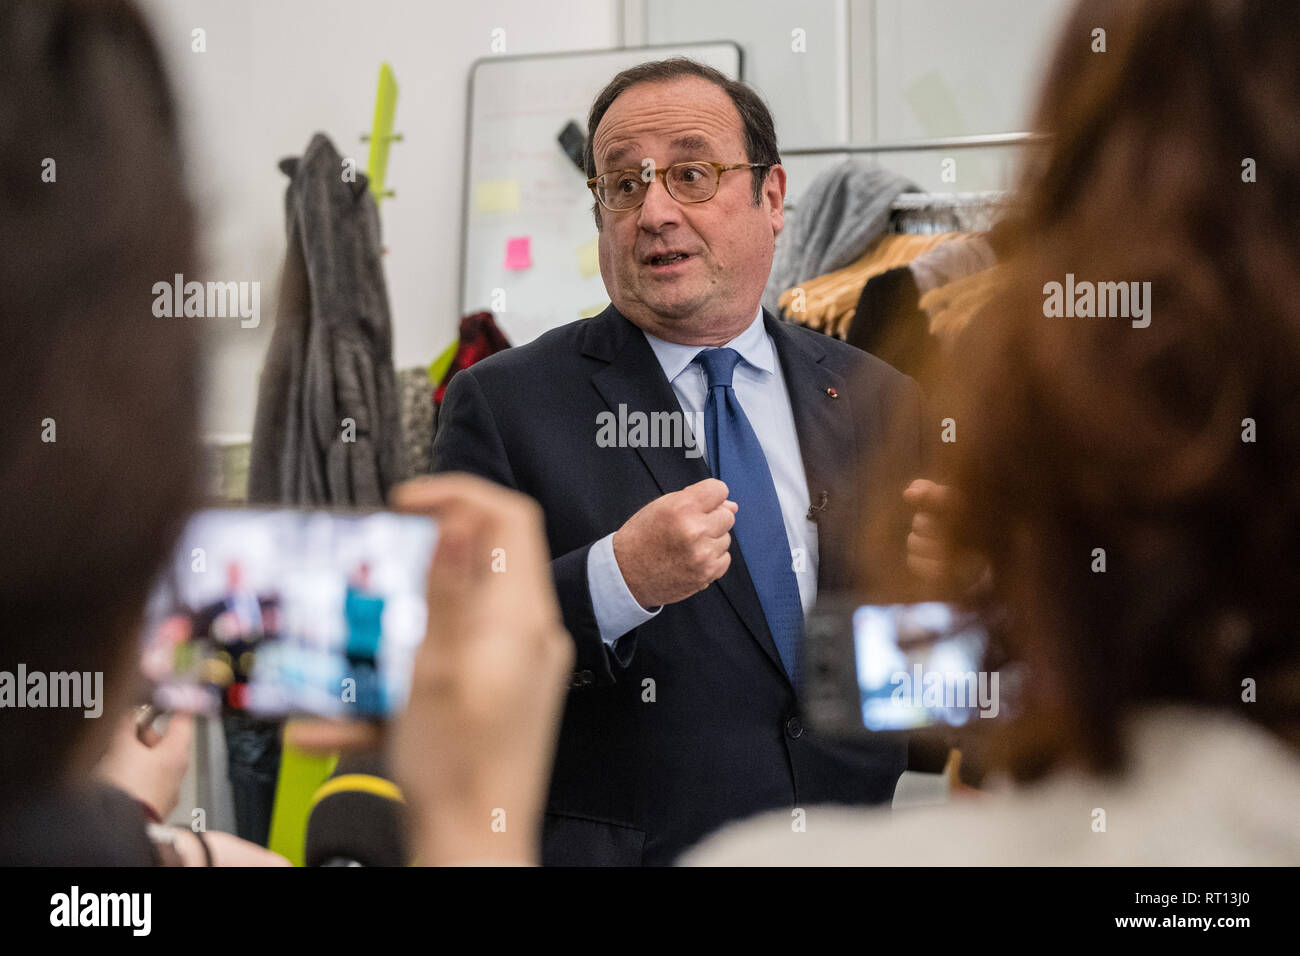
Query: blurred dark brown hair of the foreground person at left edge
[[89, 517]]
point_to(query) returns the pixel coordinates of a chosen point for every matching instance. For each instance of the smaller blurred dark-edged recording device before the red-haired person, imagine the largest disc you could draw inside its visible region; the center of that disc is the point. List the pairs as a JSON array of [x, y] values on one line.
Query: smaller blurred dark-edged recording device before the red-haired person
[[879, 669]]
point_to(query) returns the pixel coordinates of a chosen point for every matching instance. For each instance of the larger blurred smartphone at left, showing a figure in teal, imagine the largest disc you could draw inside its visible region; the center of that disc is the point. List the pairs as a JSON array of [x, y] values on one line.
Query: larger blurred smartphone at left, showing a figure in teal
[[276, 612]]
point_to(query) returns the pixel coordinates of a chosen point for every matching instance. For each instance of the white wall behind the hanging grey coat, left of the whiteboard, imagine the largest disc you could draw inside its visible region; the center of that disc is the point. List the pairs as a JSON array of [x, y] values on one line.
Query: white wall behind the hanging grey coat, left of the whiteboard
[[276, 72]]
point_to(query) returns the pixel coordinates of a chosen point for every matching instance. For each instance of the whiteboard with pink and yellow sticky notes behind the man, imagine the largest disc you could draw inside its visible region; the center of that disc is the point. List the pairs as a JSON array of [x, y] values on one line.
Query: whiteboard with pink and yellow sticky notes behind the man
[[528, 240]]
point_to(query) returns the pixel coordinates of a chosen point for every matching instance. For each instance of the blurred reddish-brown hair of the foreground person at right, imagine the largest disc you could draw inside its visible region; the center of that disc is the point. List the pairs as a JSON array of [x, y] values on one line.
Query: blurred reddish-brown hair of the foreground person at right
[[1171, 452]]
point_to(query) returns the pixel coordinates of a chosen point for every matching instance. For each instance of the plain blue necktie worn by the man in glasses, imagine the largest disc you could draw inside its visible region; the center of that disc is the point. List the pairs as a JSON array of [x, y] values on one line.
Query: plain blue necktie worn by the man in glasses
[[738, 460]]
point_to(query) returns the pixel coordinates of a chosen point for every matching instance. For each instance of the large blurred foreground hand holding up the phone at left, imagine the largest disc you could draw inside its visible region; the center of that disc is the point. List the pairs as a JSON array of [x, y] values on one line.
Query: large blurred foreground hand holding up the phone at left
[[475, 746]]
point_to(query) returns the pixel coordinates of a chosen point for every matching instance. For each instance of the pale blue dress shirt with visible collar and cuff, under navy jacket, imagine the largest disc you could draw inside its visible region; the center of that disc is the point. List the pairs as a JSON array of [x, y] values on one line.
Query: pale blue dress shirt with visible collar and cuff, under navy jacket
[[761, 391]]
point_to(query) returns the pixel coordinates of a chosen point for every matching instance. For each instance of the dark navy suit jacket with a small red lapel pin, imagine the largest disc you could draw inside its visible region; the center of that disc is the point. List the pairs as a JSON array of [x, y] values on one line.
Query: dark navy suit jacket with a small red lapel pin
[[695, 723]]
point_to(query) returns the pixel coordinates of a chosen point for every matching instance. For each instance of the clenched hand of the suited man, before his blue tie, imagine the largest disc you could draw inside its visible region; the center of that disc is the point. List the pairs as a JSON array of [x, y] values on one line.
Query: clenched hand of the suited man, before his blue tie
[[677, 546]]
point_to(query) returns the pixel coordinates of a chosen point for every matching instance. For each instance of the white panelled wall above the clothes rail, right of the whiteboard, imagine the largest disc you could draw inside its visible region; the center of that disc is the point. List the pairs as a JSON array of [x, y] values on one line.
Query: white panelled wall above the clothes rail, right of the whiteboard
[[882, 72]]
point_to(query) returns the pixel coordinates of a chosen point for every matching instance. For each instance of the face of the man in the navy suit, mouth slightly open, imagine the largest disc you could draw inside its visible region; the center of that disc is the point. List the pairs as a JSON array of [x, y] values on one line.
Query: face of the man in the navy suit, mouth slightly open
[[713, 295]]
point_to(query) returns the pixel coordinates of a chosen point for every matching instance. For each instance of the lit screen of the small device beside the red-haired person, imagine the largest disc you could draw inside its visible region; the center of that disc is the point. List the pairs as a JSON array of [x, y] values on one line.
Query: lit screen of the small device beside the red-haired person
[[921, 665]]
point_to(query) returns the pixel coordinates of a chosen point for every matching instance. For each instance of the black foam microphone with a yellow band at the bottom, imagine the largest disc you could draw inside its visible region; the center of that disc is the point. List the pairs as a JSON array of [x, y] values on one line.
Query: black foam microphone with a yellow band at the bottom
[[358, 819]]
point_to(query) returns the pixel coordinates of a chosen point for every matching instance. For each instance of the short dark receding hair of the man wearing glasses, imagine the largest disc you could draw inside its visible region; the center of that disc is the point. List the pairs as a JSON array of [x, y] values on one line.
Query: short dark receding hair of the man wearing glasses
[[755, 116]]
